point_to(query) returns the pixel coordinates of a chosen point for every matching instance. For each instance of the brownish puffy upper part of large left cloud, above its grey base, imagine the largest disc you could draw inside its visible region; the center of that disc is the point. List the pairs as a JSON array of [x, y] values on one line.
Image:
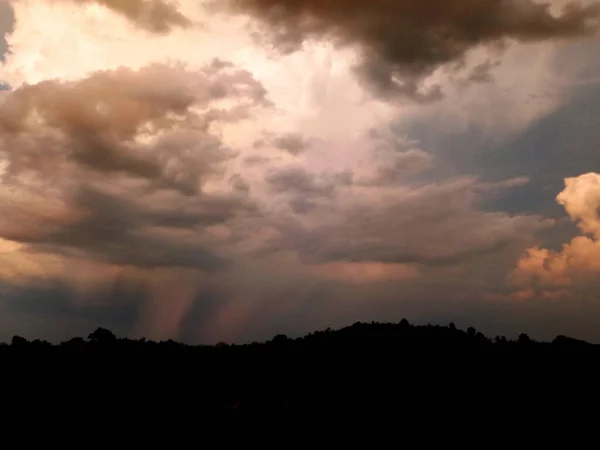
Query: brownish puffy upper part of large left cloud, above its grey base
[[153, 124]]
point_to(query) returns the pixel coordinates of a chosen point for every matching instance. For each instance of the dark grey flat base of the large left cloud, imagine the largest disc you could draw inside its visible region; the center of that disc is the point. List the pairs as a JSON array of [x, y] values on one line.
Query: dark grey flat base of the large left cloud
[[113, 230]]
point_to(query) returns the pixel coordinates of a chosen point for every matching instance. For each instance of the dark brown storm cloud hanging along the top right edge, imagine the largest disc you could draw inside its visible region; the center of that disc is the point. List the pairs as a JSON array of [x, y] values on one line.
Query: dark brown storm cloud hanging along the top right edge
[[403, 41]]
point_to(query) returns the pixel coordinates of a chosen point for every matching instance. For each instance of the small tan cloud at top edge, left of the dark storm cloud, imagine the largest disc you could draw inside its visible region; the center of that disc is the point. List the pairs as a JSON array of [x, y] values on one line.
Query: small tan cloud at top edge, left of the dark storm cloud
[[157, 16]]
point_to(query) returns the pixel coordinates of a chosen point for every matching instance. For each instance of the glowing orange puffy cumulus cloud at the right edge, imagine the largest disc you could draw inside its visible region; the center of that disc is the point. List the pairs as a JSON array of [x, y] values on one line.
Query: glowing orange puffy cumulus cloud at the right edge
[[577, 264]]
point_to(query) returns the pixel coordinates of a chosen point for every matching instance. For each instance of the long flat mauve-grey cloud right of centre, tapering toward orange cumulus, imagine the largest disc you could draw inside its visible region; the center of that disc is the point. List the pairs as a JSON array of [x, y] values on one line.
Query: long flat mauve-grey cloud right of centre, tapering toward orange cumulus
[[433, 225]]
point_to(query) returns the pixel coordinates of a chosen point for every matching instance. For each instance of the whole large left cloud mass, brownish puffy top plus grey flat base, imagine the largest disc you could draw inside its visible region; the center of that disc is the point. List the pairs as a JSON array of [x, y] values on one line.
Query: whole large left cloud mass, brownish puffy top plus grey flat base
[[127, 157]]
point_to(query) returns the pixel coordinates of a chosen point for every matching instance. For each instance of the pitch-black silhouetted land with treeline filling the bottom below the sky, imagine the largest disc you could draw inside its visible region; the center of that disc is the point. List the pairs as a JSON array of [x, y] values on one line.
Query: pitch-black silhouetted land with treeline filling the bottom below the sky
[[433, 382]]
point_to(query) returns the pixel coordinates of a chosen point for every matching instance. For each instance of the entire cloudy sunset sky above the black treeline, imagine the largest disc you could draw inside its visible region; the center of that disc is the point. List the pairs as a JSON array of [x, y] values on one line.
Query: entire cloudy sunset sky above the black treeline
[[228, 170]]
